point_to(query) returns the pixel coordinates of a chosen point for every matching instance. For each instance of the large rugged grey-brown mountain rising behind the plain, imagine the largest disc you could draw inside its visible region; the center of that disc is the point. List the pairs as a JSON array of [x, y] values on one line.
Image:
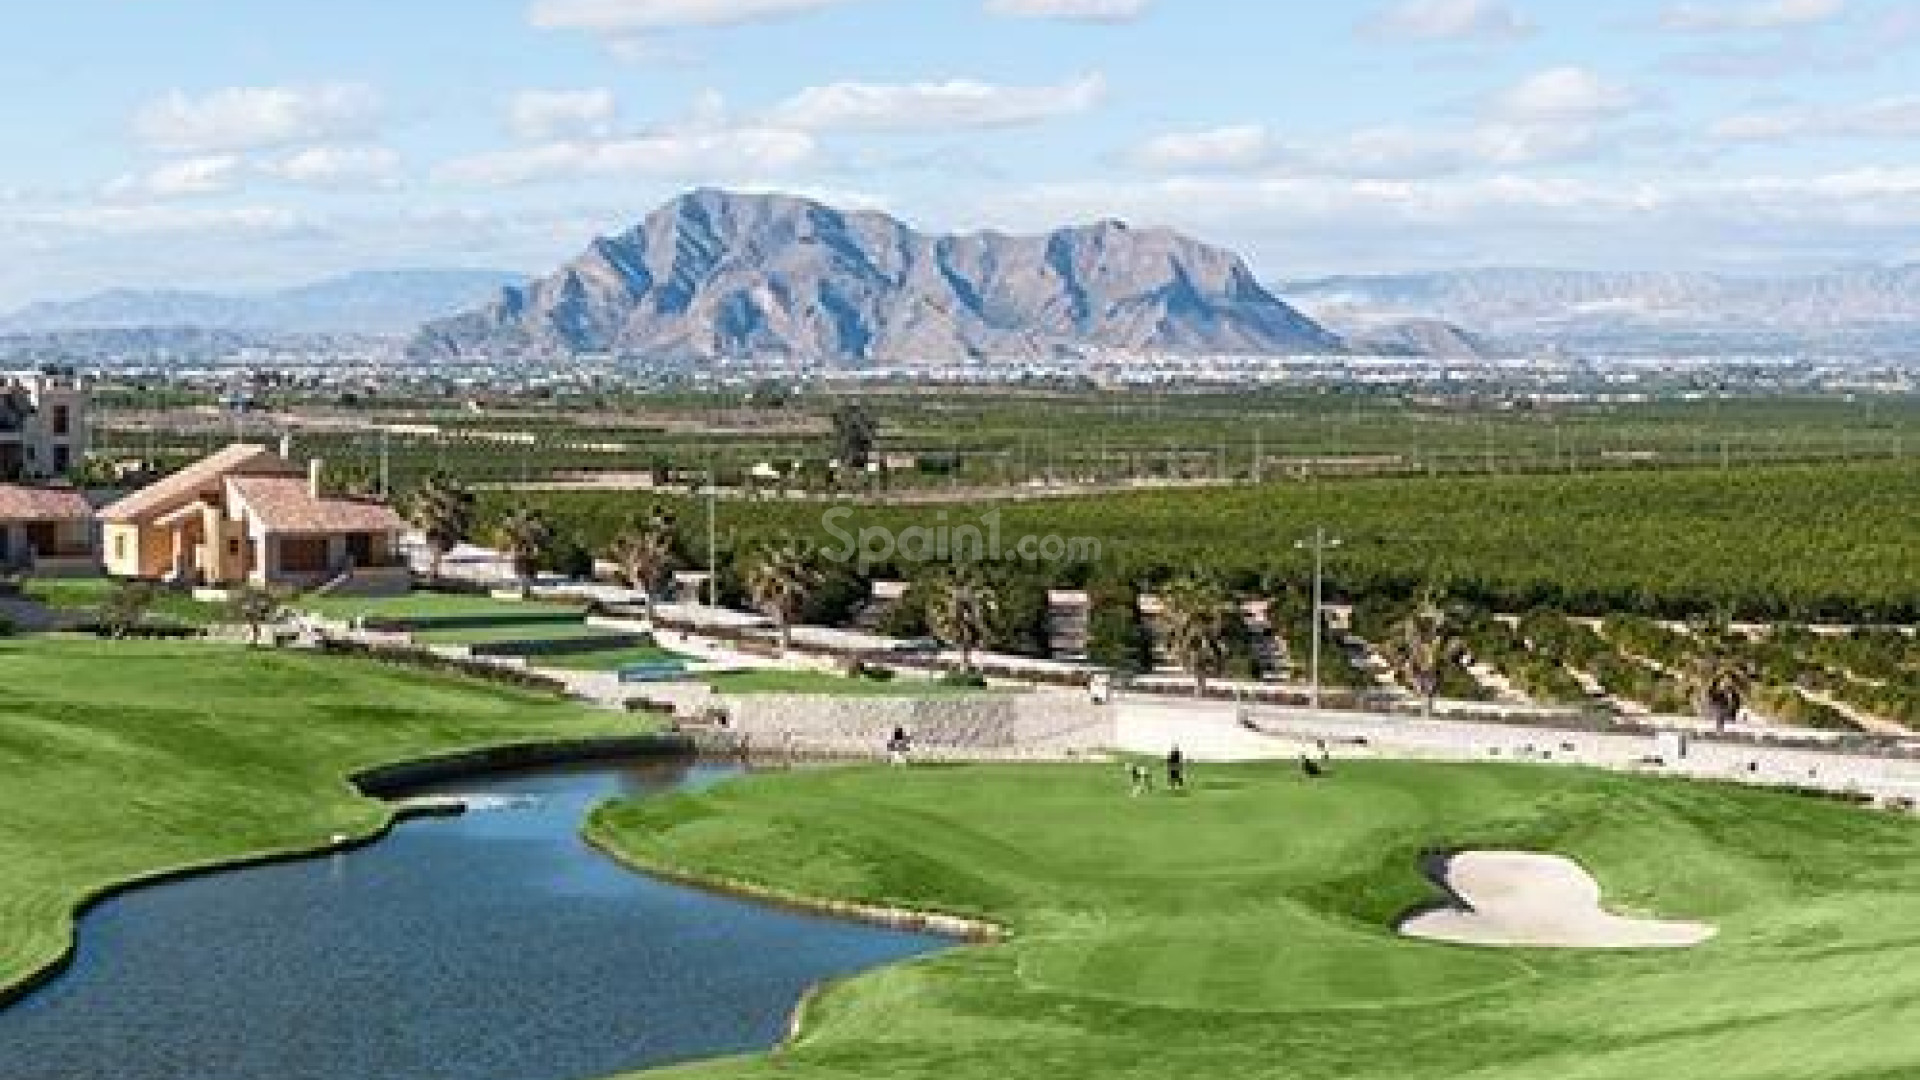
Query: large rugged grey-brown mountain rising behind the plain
[[719, 278]]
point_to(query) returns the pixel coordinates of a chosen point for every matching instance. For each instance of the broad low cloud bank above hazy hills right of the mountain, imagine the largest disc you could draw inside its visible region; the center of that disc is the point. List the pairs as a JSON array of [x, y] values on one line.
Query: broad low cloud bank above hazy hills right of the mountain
[[1301, 228]]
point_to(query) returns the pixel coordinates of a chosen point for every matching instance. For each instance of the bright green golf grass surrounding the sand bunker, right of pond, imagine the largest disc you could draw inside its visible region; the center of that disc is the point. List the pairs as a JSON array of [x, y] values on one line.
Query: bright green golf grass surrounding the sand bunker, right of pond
[[1243, 931]]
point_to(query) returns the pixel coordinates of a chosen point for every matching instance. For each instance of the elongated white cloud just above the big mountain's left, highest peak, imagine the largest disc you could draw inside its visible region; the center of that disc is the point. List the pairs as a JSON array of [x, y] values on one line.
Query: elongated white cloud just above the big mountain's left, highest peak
[[684, 157]]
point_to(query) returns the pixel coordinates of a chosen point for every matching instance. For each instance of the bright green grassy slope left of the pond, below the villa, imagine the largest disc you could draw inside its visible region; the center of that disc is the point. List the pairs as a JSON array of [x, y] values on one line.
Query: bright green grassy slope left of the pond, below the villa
[[126, 760]]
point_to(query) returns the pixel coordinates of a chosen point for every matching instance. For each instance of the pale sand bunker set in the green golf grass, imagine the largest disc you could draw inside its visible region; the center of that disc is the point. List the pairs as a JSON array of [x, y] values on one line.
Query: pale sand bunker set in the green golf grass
[[1539, 902]]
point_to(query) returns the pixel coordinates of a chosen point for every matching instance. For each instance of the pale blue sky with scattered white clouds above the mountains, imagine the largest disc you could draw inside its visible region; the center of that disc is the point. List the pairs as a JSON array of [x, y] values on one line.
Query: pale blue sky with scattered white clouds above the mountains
[[220, 145]]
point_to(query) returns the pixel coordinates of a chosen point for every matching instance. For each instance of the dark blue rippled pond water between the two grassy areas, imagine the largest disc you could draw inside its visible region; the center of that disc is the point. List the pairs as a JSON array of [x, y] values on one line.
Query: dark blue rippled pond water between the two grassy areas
[[494, 946]]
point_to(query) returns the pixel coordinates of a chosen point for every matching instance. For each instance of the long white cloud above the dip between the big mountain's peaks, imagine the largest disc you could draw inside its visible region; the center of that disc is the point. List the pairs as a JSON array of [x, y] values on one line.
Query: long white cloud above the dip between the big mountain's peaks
[[934, 107]]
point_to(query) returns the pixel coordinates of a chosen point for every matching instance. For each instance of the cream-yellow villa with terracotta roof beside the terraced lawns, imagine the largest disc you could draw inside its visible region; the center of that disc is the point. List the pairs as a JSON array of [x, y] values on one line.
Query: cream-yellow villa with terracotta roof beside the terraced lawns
[[249, 516]]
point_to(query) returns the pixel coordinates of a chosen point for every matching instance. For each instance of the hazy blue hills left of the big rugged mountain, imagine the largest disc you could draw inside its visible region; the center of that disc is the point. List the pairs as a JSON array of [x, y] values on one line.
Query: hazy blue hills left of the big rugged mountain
[[377, 303]]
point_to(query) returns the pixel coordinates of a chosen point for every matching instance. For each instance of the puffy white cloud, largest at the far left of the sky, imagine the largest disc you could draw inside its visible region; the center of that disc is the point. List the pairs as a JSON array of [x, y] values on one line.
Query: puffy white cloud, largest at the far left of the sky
[[256, 118]]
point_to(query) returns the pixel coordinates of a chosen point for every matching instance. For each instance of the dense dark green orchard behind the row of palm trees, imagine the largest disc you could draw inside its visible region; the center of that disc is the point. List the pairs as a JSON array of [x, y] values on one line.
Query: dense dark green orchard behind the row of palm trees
[[1804, 543]]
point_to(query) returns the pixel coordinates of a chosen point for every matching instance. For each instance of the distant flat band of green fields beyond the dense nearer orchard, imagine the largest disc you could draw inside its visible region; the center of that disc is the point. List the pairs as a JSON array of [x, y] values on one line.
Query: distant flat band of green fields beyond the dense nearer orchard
[[1005, 439]]
